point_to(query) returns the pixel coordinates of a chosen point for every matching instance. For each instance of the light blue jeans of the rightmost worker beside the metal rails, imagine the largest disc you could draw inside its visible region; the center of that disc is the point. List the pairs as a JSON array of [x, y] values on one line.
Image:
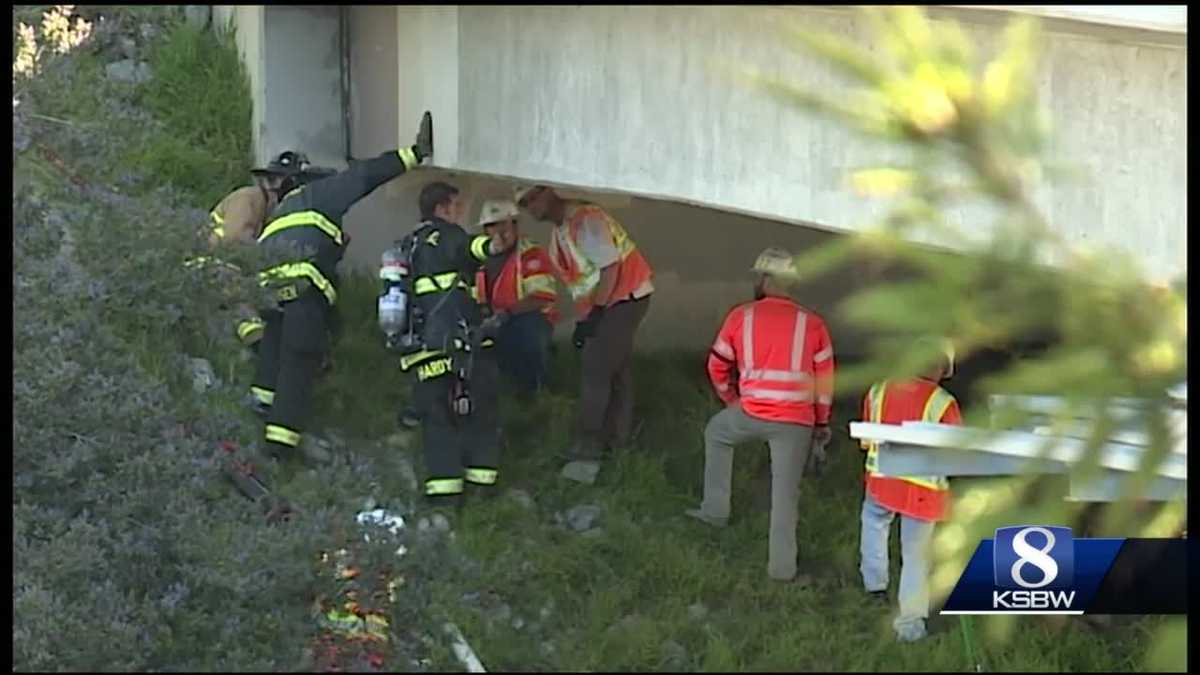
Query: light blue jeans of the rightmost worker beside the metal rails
[[915, 552]]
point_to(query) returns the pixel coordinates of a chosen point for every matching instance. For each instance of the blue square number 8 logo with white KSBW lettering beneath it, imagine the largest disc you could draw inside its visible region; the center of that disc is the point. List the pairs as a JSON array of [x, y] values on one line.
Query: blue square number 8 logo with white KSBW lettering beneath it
[[1034, 570]]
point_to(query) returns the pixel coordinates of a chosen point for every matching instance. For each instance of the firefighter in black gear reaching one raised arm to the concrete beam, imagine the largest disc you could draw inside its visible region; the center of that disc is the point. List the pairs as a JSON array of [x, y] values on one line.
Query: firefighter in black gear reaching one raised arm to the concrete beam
[[304, 243]]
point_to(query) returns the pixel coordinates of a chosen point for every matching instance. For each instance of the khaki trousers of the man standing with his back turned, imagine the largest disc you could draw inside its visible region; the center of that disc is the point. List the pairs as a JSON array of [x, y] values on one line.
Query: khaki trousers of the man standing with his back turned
[[789, 453]]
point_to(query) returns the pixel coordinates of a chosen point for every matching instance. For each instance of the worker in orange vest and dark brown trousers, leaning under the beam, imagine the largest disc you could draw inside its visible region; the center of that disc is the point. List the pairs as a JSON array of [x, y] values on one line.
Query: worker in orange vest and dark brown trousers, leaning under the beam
[[610, 284]]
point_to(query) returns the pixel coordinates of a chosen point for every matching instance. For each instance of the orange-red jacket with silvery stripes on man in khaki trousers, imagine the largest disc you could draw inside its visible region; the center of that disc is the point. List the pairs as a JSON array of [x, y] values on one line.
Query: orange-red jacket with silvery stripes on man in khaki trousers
[[784, 362]]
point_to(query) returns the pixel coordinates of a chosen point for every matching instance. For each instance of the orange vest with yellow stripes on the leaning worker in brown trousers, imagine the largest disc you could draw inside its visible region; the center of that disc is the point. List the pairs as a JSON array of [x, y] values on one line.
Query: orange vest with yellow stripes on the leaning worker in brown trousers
[[581, 276]]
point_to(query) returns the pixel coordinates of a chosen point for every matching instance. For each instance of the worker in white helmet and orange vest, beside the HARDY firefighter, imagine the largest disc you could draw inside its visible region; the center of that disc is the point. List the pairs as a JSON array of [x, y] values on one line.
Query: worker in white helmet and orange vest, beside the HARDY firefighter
[[517, 289]]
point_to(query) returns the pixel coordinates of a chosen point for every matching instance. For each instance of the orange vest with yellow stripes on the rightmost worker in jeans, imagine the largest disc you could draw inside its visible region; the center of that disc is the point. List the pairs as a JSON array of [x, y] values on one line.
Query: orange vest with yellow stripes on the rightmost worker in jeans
[[926, 498]]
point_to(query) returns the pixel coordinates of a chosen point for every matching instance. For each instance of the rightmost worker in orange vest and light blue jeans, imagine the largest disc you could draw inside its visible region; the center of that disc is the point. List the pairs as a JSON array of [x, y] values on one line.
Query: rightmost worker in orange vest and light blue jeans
[[921, 501]]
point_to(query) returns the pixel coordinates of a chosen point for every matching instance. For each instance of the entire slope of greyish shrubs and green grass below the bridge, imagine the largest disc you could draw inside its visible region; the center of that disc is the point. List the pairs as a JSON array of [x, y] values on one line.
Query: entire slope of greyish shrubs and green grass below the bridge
[[127, 540]]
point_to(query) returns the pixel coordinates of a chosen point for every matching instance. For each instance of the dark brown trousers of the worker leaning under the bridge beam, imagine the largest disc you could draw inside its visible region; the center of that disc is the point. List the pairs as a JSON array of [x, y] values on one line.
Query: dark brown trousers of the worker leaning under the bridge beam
[[607, 389]]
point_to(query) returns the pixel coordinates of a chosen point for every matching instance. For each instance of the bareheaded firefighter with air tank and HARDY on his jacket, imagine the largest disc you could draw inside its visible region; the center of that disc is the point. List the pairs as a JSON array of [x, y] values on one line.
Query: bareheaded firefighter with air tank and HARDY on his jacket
[[457, 390]]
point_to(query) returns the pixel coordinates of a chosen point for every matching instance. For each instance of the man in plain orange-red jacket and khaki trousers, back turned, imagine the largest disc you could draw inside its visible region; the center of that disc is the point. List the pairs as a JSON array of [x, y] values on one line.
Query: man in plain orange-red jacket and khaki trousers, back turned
[[782, 392]]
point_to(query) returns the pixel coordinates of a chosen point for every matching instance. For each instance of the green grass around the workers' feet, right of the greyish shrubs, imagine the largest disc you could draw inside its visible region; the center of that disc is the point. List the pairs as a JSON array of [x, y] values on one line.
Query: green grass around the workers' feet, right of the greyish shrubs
[[615, 600]]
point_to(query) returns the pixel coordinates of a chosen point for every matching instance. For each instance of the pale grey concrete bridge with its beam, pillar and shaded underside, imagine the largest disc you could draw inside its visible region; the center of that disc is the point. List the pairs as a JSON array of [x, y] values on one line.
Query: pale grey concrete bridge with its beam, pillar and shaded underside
[[625, 104]]
